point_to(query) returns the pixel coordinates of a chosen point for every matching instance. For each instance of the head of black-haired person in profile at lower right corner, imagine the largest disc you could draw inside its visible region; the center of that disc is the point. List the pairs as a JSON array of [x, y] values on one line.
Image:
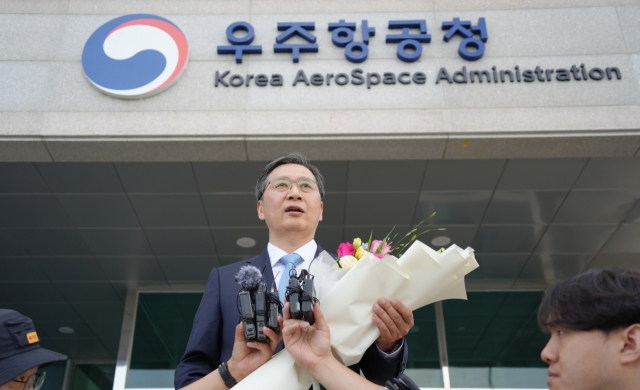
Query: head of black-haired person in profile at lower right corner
[[594, 322]]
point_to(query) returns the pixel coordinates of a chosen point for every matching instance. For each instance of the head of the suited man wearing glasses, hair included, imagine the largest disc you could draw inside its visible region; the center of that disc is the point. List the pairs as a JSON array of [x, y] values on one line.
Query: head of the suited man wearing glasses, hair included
[[290, 195]]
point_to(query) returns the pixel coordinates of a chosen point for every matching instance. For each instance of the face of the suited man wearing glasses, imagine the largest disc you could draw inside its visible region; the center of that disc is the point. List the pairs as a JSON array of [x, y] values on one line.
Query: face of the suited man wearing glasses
[[292, 210]]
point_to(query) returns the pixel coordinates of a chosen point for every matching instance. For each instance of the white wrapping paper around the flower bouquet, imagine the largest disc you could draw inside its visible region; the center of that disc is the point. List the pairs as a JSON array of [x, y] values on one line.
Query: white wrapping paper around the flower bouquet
[[422, 276]]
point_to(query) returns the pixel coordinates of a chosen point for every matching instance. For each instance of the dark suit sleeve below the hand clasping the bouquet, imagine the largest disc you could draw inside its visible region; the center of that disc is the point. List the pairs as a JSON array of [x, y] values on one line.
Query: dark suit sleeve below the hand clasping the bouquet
[[379, 369]]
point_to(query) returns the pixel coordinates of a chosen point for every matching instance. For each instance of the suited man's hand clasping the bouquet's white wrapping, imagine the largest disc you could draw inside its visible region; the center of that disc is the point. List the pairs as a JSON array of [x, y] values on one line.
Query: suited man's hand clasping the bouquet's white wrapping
[[393, 320]]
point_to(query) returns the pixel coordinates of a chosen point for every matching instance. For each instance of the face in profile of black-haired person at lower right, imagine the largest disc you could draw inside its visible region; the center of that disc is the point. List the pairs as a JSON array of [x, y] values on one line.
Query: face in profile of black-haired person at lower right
[[582, 360]]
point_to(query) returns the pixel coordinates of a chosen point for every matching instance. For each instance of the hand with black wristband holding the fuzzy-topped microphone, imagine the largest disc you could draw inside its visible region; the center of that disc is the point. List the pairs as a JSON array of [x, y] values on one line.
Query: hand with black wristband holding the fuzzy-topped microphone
[[246, 357]]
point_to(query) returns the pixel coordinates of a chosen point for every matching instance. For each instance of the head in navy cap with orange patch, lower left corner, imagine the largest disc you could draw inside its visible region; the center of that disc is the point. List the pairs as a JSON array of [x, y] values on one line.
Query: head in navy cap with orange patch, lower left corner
[[21, 354]]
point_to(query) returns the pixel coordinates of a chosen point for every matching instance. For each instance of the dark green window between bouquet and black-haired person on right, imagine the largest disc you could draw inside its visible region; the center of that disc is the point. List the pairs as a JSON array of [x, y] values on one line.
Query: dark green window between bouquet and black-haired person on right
[[493, 340]]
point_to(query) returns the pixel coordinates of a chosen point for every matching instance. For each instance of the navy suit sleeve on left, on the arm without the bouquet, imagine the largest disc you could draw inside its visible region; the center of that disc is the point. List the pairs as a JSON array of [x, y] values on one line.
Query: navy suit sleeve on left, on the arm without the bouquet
[[202, 355]]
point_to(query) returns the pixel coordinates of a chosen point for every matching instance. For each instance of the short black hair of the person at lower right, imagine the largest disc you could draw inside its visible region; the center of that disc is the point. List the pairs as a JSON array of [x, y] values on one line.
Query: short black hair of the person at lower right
[[605, 299]]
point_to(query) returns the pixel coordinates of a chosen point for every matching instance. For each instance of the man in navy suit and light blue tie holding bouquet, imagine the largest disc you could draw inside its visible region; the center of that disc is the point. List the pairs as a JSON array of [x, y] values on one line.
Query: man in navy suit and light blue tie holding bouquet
[[289, 196]]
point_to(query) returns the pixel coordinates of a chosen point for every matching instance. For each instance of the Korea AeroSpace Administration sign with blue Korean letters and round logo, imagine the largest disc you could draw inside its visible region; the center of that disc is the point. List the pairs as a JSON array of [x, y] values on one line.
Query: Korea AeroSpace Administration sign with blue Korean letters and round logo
[[136, 56]]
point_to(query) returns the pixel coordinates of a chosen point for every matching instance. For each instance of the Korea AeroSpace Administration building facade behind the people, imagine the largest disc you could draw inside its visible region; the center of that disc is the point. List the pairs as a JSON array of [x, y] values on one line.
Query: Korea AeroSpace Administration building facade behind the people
[[132, 133]]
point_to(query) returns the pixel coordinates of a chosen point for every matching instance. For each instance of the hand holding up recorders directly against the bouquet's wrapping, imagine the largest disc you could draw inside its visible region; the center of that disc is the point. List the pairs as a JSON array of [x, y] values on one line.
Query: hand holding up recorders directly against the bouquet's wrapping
[[308, 346]]
